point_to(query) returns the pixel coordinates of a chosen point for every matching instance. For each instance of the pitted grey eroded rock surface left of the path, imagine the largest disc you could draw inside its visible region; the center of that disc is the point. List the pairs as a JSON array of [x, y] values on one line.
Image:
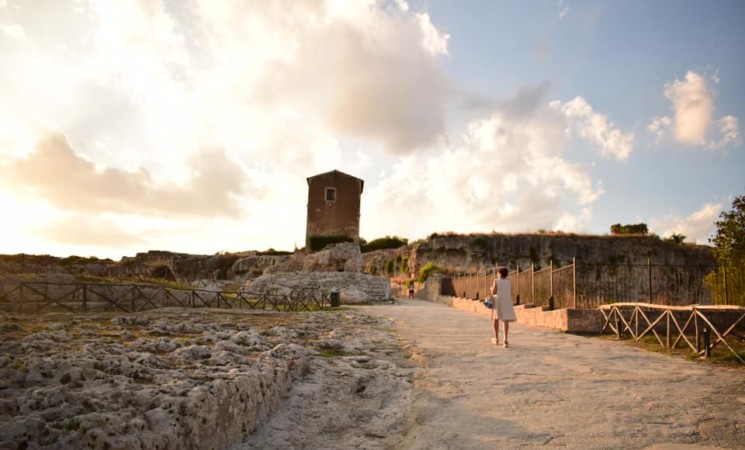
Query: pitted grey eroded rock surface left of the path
[[178, 378]]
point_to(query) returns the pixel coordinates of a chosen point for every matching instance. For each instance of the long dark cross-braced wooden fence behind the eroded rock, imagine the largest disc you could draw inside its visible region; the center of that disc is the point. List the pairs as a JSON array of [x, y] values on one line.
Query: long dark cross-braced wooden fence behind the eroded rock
[[38, 296]]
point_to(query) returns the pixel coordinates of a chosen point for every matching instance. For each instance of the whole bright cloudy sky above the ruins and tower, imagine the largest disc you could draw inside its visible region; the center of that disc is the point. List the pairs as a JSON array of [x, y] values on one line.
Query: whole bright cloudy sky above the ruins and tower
[[192, 125]]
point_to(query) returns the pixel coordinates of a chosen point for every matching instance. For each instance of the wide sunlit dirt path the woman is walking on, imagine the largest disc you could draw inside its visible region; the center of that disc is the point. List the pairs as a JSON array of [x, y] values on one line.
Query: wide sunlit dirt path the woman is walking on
[[551, 389]]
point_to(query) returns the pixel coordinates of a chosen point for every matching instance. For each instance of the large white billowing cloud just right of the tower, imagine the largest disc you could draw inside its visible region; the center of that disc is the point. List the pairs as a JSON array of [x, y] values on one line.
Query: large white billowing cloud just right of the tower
[[507, 173]]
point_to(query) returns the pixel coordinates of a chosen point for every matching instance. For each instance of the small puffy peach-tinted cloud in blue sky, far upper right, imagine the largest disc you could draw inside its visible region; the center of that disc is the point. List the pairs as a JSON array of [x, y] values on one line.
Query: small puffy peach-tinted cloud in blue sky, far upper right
[[693, 124]]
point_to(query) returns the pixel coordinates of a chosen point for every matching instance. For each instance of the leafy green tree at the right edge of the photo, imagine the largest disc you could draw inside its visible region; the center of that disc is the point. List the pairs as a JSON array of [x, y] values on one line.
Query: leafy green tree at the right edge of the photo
[[729, 240]]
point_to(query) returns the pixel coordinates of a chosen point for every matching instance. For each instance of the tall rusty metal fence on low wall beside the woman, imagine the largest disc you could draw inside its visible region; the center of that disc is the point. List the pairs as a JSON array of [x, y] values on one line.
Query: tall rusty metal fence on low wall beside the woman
[[592, 285]]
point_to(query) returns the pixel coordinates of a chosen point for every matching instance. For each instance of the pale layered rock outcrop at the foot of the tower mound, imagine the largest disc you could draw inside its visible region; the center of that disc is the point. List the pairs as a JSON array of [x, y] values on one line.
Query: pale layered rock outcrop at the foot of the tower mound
[[353, 287]]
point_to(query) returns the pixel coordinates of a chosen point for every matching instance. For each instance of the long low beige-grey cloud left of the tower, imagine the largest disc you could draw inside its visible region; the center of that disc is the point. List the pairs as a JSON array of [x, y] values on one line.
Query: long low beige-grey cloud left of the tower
[[72, 183]]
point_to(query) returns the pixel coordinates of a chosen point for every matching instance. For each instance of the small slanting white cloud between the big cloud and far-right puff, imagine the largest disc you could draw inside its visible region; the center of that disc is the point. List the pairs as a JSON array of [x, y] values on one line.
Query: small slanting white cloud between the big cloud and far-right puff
[[596, 128]]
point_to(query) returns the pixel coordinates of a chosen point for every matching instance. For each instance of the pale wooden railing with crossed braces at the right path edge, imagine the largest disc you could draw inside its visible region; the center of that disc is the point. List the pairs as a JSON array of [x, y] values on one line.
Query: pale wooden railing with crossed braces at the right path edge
[[700, 324]]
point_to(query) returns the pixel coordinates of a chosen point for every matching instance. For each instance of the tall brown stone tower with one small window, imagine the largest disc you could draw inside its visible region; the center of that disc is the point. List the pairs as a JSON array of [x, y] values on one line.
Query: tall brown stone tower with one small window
[[333, 208]]
